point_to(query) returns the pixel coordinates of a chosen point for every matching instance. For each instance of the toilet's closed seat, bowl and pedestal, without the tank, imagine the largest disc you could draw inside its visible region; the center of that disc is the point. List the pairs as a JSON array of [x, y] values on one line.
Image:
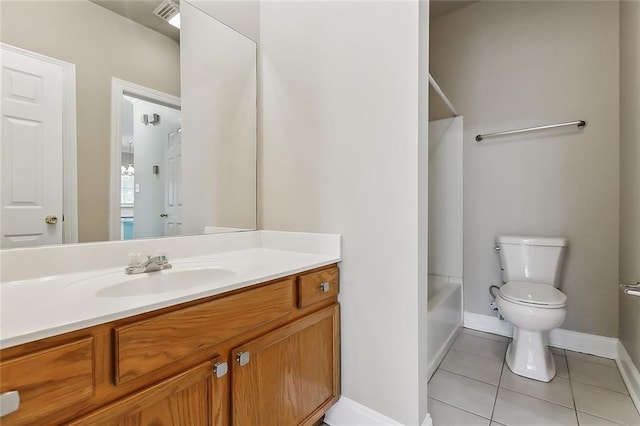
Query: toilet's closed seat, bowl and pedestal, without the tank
[[533, 309]]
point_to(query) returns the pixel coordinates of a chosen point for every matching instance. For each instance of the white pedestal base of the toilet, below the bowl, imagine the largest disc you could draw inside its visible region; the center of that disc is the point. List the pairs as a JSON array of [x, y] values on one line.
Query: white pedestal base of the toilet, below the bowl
[[529, 356]]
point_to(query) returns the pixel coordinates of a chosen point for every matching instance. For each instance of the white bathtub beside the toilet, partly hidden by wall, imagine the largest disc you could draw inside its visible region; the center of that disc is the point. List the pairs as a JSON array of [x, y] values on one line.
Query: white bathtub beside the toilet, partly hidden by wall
[[444, 317]]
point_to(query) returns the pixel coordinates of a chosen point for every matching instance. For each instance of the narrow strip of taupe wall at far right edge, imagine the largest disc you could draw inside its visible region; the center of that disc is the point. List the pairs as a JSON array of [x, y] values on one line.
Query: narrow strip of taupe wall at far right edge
[[630, 173]]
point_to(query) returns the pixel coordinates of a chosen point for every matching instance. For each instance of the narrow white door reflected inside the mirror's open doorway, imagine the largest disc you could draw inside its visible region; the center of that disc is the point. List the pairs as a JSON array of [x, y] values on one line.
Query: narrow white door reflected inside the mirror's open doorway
[[173, 212]]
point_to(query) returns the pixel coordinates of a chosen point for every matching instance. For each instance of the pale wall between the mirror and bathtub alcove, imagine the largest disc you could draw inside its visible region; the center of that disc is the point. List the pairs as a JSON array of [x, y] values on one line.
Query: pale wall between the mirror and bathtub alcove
[[341, 109]]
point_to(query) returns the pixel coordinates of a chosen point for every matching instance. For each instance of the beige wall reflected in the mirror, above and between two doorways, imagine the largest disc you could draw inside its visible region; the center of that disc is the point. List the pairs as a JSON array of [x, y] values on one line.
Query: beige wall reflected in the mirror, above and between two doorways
[[102, 45]]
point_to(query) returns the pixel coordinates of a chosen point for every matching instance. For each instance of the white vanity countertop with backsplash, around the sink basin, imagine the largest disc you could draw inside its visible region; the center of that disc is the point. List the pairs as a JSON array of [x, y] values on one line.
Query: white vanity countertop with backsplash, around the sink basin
[[43, 292]]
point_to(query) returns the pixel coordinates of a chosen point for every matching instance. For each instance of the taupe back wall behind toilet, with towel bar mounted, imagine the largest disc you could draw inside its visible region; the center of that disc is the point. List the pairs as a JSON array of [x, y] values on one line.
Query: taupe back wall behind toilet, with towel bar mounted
[[509, 65]]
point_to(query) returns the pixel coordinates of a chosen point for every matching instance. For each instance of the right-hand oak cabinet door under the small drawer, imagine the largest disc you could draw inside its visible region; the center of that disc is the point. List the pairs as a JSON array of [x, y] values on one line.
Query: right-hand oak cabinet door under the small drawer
[[289, 376]]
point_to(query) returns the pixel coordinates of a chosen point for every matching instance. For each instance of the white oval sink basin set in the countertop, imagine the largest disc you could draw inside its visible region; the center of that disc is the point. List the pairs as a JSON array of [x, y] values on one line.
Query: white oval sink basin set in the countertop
[[180, 277]]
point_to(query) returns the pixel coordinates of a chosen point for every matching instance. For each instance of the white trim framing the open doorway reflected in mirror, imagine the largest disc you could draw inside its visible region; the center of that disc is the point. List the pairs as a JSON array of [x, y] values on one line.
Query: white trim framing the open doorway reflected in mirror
[[118, 89]]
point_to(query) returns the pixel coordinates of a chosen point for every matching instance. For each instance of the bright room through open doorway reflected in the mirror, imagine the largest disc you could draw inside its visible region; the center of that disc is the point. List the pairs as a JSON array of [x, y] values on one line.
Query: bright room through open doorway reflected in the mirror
[[149, 167]]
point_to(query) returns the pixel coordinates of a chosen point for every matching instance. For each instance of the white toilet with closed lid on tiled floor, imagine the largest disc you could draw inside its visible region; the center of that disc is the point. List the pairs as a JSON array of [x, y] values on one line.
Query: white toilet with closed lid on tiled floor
[[530, 301]]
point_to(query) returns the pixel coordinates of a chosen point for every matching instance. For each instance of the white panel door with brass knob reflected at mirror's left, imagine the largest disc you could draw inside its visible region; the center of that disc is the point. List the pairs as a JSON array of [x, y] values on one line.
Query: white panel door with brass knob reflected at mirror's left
[[32, 177]]
